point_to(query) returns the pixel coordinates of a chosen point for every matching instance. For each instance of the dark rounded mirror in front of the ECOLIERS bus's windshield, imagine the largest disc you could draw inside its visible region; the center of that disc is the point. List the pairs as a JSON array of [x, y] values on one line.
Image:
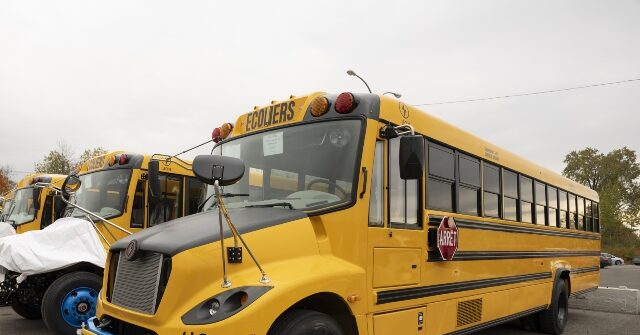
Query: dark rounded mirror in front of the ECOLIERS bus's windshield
[[225, 170]]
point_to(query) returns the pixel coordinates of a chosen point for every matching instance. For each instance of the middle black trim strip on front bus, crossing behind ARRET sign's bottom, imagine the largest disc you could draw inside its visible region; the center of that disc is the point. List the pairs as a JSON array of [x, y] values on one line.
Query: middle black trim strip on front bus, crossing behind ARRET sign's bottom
[[434, 255]]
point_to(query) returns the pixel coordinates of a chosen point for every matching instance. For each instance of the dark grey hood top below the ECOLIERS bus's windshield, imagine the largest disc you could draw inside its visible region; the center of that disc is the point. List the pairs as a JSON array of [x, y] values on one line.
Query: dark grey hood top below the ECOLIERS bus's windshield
[[173, 237]]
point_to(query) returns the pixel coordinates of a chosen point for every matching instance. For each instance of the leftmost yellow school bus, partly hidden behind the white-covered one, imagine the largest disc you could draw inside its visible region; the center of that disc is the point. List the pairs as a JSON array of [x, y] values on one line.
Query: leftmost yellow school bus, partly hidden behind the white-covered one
[[32, 209]]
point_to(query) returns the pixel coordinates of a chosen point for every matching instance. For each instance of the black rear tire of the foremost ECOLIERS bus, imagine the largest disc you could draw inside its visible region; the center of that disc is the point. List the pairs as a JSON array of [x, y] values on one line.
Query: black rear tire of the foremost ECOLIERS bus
[[554, 319]]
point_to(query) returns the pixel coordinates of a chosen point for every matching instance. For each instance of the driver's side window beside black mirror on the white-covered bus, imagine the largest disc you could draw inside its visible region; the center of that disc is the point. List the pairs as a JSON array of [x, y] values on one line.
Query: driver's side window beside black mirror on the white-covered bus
[[170, 205]]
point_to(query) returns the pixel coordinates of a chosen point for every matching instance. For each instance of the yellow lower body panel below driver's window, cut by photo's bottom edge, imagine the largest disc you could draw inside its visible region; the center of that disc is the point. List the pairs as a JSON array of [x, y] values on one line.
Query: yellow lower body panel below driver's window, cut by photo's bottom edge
[[407, 322]]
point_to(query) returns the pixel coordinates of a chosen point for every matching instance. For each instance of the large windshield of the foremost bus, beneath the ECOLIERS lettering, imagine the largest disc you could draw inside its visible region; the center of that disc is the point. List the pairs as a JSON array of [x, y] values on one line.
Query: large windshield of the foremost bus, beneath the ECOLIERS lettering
[[306, 167]]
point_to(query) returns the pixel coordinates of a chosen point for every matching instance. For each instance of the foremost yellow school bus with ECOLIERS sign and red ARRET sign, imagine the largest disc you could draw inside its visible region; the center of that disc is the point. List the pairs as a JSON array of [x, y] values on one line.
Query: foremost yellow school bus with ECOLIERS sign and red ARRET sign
[[357, 214]]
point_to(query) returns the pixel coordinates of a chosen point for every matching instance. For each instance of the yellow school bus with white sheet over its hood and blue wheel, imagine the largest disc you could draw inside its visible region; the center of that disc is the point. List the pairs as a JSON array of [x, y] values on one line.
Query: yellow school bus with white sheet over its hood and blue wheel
[[119, 193]]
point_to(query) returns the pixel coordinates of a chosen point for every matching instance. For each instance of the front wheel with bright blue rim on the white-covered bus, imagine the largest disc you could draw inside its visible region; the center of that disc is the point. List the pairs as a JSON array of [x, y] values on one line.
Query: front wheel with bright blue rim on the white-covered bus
[[70, 301]]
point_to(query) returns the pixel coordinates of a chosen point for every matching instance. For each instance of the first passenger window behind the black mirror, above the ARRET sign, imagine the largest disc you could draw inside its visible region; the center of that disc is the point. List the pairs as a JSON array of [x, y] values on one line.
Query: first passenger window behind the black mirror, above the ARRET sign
[[441, 180]]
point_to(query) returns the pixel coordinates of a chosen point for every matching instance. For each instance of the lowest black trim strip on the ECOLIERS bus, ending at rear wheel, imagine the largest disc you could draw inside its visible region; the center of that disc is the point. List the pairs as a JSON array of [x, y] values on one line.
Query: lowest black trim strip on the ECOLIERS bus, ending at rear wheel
[[385, 297]]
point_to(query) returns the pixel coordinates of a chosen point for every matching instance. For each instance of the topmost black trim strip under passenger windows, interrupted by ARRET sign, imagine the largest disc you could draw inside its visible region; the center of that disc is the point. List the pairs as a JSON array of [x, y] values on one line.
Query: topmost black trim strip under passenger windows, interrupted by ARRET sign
[[434, 221]]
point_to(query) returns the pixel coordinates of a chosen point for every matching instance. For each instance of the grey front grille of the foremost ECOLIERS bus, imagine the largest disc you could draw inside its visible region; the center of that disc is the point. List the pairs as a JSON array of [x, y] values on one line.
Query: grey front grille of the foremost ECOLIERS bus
[[136, 283]]
